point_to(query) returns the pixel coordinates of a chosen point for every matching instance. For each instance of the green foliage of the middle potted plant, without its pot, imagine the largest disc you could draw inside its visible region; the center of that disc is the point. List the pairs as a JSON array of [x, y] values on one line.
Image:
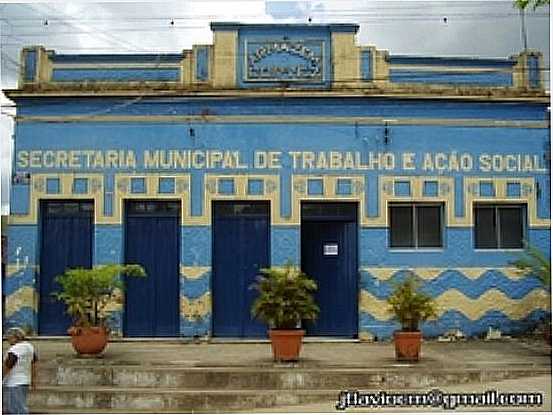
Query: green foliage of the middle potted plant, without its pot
[[285, 297]]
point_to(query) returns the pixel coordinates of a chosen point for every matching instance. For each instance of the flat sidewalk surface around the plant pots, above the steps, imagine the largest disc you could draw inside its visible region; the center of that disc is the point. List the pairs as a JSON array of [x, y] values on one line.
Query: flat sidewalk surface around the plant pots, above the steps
[[510, 354]]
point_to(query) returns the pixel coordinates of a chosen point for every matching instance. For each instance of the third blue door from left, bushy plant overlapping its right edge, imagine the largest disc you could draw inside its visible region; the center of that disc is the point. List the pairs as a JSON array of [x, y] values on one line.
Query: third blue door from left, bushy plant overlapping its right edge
[[240, 250]]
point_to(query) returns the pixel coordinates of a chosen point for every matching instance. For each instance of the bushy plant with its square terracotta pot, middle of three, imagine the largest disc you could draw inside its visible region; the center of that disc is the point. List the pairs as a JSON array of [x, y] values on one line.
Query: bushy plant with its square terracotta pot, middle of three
[[285, 300]]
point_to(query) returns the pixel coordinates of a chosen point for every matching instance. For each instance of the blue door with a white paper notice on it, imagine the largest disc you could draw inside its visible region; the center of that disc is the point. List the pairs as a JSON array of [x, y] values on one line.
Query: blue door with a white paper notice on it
[[329, 255]]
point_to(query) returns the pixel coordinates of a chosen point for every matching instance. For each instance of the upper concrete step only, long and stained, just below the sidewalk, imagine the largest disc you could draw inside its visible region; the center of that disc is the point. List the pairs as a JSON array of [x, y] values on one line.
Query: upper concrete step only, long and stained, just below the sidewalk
[[247, 378]]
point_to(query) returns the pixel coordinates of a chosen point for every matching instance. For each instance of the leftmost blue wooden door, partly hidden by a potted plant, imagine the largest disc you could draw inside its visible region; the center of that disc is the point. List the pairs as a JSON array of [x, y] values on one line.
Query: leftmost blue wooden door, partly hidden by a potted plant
[[66, 242]]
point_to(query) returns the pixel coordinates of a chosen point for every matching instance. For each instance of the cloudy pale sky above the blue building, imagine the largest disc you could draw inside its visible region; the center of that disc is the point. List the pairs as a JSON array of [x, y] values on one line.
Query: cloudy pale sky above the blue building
[[435, 27]]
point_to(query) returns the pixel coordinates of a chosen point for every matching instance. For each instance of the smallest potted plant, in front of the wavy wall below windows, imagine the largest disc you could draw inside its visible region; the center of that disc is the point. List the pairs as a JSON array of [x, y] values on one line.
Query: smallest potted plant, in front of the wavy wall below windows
[[410, 307]]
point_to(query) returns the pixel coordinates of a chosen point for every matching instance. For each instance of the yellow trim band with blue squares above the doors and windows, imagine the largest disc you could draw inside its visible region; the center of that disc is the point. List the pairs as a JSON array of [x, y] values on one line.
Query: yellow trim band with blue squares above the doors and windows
[[272, 192]]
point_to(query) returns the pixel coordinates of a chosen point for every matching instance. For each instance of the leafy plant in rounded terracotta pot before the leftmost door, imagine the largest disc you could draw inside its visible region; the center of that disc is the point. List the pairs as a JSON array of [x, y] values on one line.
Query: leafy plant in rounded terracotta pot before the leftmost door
[[87, 294]]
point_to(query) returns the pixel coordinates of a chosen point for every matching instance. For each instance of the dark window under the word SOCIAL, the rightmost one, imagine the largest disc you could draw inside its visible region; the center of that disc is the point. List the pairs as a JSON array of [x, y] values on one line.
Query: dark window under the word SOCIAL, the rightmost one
[[499, 226]]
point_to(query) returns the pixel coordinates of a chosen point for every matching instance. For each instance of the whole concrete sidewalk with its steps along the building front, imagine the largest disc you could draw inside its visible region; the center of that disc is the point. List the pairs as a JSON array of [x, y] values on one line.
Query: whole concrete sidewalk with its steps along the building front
[[168, 376]]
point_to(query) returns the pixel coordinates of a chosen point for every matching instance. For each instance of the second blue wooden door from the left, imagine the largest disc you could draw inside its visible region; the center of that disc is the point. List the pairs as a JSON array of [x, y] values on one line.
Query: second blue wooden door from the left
[[152, 239]]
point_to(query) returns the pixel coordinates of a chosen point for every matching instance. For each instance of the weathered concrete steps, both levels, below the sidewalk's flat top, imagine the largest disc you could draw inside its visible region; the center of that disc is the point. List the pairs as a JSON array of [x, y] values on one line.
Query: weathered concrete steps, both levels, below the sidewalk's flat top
[[98, 386]]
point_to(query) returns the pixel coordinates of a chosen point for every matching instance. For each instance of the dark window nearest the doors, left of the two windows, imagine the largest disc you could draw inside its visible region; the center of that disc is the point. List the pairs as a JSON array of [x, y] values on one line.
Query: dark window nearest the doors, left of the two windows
[[416, 225]]
